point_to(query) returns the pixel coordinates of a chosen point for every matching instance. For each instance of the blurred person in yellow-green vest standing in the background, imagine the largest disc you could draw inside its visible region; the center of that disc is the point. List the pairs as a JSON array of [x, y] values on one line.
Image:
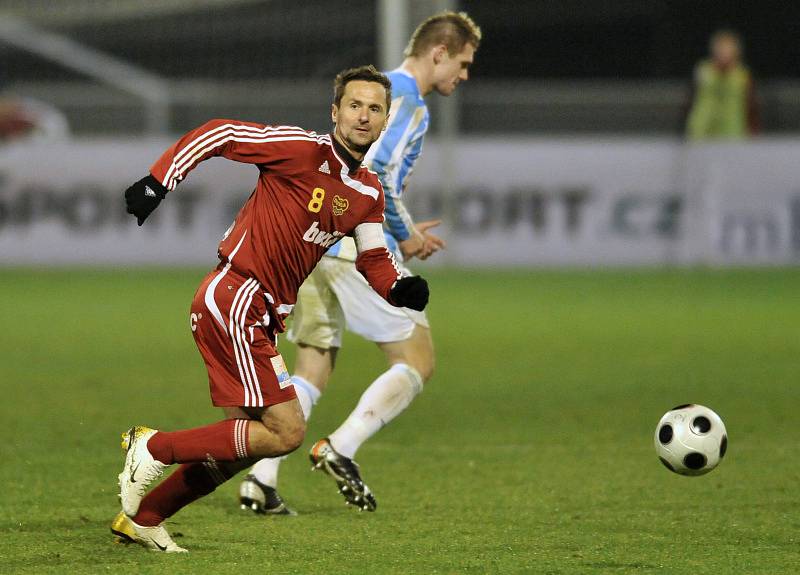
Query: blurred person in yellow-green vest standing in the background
[[723, 104]]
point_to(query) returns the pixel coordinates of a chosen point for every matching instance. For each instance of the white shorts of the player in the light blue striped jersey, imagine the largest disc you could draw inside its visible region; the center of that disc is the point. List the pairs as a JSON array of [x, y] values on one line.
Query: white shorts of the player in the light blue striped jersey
[[336, 296]]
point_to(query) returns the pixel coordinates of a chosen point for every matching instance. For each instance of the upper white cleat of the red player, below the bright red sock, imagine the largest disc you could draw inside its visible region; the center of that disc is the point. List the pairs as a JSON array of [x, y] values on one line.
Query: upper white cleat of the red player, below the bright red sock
[[140, 470]]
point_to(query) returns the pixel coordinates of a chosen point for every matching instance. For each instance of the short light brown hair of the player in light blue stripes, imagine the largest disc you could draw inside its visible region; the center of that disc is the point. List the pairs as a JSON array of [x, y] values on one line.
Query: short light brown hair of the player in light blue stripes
[[453, 29]]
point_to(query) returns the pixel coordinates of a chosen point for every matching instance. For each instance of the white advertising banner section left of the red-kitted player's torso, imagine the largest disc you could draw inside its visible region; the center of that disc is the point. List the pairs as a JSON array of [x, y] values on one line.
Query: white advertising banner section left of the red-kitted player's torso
[[63, 203]]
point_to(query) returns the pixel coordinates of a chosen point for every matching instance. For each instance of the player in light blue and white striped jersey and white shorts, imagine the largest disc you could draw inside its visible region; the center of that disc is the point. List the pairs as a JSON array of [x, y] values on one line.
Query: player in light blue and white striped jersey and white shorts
[[336, 297]]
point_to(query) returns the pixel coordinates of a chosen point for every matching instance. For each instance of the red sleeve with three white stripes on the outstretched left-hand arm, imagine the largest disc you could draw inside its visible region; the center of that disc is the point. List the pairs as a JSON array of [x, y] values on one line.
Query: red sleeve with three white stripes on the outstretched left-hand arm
[[246, 142]]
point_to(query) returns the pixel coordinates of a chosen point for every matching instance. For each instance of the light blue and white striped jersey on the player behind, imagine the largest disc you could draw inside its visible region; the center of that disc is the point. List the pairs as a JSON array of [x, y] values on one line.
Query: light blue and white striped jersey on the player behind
[[393, 157]]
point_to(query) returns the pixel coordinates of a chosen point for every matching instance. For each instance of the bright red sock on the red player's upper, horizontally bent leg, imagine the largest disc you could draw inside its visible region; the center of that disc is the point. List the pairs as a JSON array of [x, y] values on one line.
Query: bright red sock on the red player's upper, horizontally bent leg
[[222, 441]]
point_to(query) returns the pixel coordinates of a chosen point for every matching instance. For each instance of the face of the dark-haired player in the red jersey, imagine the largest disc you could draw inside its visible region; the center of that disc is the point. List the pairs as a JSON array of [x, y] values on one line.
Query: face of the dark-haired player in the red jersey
[[361, 115]]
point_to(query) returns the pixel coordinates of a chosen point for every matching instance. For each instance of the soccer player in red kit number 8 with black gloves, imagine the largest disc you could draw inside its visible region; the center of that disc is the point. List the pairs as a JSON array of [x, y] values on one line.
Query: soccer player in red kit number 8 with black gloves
[[312, 190]]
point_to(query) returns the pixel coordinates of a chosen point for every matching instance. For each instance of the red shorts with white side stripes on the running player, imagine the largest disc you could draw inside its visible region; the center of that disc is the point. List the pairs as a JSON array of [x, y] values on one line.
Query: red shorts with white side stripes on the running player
[[231, 326]]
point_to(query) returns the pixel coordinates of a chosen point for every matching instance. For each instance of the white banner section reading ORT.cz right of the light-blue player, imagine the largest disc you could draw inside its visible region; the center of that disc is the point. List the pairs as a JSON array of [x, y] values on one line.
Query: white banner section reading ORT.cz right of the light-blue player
[[522, 202]]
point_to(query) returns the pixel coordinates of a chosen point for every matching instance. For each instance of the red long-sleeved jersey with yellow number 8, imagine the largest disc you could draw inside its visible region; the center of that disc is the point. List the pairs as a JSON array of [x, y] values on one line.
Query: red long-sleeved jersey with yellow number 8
[[309, 195]]
